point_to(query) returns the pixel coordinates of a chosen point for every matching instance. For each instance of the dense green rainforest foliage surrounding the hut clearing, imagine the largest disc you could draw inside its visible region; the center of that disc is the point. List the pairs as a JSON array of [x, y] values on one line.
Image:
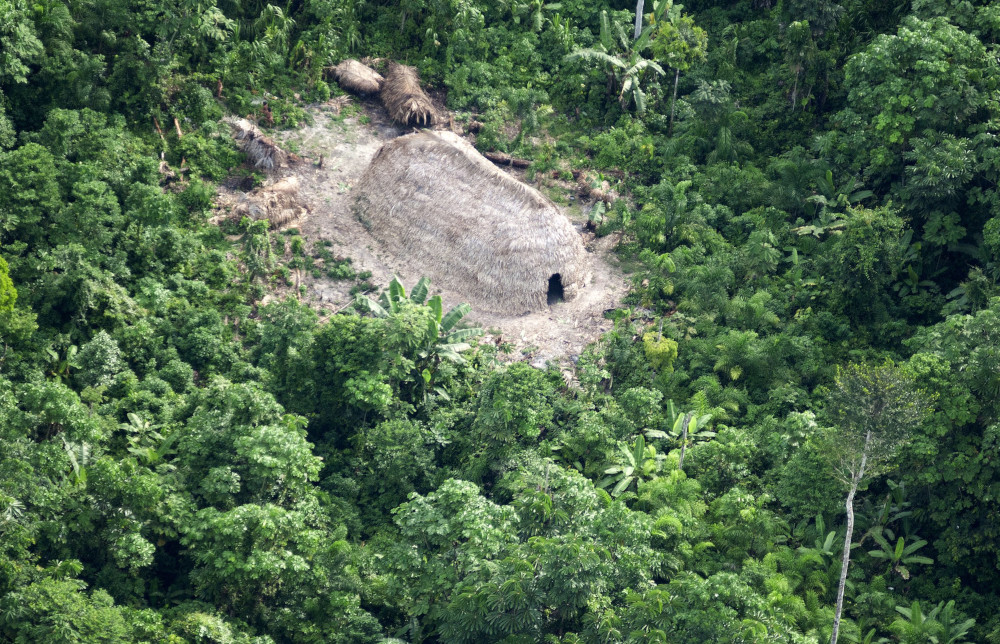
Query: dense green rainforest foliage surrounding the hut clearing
[[812, 218]]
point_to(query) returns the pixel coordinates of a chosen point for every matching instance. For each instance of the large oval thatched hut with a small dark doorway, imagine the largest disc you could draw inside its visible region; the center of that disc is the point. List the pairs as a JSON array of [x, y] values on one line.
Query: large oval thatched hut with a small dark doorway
[[432, 198]]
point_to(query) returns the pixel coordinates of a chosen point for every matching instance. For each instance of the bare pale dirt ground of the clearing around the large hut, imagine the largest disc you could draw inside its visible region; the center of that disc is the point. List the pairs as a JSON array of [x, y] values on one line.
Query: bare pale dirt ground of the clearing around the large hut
[[346, 133]]
